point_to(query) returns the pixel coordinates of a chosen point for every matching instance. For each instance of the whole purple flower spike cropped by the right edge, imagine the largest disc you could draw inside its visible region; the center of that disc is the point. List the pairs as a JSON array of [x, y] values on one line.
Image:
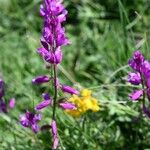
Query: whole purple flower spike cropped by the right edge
[[140, 76]]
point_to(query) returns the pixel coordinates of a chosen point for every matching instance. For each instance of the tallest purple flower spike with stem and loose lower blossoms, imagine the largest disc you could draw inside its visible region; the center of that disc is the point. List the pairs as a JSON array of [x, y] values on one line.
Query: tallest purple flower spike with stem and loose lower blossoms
[[52, 40]]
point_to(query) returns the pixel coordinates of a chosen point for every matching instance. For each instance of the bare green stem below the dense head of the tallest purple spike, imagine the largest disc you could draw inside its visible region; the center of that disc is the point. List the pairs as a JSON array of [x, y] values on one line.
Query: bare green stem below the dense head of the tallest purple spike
[[55, 91]]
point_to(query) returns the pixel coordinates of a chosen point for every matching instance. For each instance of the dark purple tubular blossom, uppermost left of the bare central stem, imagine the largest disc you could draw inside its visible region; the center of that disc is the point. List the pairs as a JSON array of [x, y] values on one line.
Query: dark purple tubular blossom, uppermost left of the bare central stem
[[40, 80]]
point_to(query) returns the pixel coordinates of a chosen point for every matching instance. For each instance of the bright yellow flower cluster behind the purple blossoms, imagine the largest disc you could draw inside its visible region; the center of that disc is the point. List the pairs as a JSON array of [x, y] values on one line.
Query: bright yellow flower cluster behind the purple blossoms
[[83, 103]]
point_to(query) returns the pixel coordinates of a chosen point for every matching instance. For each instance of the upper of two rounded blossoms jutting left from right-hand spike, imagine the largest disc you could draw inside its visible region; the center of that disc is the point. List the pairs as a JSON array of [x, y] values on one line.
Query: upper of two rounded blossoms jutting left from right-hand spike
[[134, 78]]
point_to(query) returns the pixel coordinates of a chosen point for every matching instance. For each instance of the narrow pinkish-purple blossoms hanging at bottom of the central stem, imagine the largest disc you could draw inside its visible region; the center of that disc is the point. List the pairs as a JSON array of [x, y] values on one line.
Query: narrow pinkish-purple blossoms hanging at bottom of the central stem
[[54, 134]]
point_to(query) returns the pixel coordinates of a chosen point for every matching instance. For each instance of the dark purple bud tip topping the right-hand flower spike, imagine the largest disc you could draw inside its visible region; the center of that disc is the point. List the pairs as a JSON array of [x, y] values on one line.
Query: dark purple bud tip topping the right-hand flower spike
[[136, 61]]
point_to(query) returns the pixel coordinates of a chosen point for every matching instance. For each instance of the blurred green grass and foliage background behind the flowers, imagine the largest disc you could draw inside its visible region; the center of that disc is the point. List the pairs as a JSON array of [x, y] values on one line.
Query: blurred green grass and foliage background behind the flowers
[[104, 34]]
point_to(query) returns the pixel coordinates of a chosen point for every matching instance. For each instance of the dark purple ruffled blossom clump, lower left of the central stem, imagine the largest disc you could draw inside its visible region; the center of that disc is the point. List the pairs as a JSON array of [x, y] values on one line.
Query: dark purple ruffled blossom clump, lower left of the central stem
[[30, 120]]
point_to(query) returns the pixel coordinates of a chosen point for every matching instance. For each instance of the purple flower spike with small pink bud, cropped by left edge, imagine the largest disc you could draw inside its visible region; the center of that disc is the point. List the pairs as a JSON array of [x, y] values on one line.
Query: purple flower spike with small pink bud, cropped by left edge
[[3, 106]]
